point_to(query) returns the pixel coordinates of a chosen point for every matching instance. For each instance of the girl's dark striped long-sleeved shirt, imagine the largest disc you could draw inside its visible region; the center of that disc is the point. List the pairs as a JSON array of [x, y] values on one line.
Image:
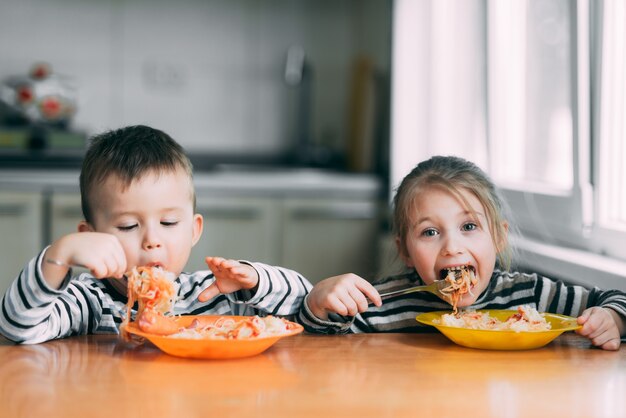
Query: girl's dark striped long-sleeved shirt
[[505, 291]]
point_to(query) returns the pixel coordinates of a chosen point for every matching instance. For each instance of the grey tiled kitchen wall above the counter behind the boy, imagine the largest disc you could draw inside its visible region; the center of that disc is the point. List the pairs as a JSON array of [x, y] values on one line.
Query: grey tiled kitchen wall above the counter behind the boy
[[211, 73]]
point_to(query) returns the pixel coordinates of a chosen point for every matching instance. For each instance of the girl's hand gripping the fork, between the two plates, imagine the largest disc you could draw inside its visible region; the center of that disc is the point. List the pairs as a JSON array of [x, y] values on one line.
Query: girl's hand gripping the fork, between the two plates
[[346, 294]]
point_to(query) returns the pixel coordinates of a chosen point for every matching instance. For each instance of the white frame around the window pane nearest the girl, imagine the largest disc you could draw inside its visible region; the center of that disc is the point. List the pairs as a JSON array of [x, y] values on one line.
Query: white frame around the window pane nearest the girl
[[555, 216]]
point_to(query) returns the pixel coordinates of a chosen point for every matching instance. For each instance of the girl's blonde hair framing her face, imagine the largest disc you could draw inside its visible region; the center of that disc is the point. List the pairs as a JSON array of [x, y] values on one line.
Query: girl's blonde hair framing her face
[[452, 174]]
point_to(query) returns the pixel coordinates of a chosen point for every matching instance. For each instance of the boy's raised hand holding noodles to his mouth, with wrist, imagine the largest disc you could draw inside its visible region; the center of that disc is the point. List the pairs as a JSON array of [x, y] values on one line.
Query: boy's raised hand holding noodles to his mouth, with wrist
[[99, 252]]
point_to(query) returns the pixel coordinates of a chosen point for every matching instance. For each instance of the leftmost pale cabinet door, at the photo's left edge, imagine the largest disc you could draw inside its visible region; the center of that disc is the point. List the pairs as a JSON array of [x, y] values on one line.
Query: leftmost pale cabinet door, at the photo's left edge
[[21, 233]]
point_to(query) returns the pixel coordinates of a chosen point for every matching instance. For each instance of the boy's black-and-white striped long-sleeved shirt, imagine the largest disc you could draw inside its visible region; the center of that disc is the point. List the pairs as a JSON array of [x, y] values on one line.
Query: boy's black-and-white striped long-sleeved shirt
[[32, 312]]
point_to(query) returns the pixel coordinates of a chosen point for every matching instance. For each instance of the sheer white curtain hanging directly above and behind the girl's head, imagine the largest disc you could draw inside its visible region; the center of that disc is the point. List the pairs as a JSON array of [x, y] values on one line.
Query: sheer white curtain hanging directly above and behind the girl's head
[[439, 82]]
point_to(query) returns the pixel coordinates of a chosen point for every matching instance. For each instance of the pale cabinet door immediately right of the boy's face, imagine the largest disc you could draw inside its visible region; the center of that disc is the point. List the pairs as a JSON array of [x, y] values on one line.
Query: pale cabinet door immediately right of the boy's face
[[236, 227]]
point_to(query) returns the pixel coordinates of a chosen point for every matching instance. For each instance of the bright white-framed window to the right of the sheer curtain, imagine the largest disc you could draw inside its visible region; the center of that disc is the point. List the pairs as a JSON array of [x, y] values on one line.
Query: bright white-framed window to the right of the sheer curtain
[[554, 67]]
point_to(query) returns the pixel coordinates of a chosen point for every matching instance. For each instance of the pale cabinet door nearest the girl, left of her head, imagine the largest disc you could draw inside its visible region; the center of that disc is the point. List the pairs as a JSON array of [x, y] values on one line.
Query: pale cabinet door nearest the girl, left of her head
[[322, 238]]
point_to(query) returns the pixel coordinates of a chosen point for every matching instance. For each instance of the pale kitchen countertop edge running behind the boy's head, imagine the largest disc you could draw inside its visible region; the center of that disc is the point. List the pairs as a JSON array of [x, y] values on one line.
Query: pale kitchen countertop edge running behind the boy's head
[[295, 182]]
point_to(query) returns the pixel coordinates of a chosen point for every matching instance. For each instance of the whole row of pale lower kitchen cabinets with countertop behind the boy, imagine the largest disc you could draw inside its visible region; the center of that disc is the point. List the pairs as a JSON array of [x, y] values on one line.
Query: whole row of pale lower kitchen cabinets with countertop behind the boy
[[319, 224]]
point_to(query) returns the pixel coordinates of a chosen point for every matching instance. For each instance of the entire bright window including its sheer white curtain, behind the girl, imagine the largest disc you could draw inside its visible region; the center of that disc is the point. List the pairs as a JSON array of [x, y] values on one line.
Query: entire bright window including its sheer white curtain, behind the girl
[[543, 112]]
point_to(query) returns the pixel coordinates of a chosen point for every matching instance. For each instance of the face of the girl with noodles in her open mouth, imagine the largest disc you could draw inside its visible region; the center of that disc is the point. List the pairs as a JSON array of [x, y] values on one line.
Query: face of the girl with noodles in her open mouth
[[444, 233]]
